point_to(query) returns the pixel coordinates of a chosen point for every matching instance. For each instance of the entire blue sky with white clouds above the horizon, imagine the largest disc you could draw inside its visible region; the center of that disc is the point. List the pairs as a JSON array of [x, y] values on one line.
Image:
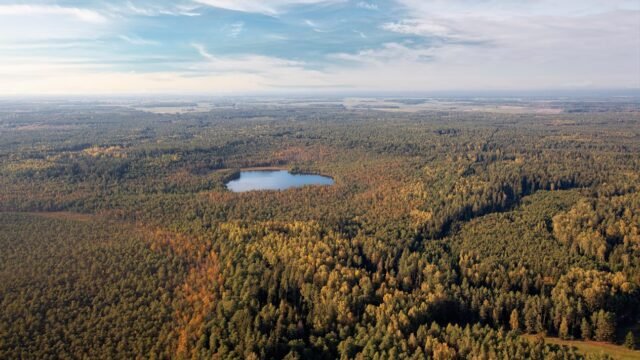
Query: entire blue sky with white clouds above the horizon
[[297, 46]]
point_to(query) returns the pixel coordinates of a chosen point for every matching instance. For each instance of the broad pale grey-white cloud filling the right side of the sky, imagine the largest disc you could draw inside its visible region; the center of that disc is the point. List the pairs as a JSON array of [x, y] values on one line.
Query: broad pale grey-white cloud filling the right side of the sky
[[515, 44]]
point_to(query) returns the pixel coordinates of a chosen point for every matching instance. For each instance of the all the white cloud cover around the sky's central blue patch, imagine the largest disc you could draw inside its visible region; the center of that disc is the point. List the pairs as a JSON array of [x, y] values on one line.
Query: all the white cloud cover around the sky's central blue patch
[[524, 45]]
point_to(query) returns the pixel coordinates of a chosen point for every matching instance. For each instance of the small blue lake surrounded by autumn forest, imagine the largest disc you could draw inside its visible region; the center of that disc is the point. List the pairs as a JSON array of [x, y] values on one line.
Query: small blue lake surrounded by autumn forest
[[274, 180]]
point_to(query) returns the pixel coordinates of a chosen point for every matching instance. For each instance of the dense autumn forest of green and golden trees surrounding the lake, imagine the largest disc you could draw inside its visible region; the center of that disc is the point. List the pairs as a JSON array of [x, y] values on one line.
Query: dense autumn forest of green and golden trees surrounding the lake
[[447, 234]]
